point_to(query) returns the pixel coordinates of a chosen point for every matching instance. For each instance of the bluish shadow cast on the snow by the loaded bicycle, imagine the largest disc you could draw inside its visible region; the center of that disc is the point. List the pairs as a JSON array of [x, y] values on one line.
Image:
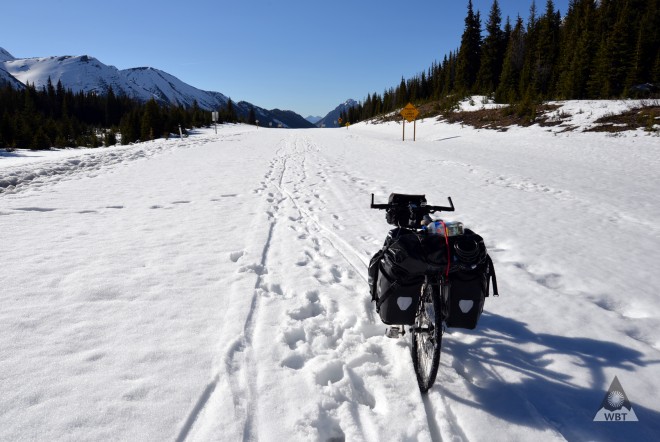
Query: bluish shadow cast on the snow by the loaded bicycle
[[561, 404]]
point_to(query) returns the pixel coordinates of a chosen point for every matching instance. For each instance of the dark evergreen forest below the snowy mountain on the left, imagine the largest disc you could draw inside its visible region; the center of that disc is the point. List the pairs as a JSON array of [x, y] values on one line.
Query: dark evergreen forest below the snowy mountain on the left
[[53, 116]]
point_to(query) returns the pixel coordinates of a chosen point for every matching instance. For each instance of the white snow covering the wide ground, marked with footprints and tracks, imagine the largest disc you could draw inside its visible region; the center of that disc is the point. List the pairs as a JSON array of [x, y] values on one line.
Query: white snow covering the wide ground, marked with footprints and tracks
[[214, 288]]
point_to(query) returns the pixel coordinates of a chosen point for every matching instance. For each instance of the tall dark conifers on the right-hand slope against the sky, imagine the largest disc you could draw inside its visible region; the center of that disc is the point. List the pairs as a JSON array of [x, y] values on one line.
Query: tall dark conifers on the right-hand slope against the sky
[[600, 50]]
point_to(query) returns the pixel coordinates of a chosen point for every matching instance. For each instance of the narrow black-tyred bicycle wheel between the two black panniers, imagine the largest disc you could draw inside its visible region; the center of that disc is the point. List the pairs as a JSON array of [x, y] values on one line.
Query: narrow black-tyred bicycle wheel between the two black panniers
[[427, 336]]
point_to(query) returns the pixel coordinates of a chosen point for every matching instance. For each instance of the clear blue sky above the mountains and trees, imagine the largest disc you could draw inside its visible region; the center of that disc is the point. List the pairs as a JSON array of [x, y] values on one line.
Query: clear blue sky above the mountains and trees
[[304, 56]]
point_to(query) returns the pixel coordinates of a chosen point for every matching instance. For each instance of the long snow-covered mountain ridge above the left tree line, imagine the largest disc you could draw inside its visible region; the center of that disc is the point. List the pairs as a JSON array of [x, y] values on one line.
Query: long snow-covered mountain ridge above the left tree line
[[87, 74]]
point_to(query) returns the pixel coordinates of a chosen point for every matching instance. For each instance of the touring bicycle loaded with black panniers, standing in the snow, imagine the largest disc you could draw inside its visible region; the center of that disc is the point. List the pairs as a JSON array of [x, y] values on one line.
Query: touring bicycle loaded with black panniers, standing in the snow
[[429, 275]]
